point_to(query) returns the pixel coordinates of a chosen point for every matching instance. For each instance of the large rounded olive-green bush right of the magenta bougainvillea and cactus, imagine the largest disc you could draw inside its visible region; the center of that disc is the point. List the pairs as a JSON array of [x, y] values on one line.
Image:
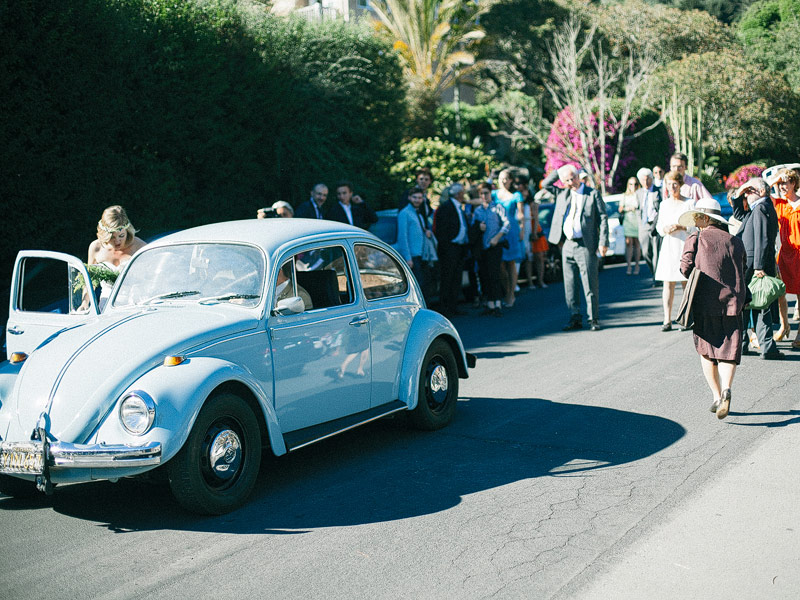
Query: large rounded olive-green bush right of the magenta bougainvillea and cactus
[[747, 112]]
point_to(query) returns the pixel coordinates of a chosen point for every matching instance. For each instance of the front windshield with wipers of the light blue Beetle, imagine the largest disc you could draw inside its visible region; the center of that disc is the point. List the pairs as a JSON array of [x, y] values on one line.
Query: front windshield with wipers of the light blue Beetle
[[200, 273]]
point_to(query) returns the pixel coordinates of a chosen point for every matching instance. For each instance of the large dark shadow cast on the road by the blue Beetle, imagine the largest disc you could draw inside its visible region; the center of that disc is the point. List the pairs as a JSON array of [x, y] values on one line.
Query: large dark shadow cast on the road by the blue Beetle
[[384, 471]]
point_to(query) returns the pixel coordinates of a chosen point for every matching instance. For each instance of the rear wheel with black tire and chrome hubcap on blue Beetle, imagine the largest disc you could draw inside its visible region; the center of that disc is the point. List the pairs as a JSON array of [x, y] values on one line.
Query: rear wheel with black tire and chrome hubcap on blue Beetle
[[438, 388]]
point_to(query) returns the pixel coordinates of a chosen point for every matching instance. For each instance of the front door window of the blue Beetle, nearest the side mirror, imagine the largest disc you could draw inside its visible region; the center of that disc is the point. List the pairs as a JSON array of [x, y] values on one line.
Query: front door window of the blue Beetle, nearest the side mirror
[[322, 275]]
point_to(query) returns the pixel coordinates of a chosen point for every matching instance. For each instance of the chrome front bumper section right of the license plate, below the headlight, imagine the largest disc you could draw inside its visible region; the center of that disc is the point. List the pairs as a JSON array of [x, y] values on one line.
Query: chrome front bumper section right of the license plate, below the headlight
[[99, 456]]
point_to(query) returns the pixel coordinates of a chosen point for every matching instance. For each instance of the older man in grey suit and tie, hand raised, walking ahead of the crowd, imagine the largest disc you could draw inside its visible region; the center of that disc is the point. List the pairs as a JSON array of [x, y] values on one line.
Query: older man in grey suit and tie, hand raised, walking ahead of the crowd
[[580, 228]]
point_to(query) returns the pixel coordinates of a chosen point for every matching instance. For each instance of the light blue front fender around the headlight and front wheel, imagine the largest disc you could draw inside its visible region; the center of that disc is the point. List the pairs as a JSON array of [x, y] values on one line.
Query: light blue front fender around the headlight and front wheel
[[179, 392]]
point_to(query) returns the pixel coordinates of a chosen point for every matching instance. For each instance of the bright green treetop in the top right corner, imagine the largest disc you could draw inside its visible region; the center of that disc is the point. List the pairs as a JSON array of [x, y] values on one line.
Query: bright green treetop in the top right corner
[[770, 31]]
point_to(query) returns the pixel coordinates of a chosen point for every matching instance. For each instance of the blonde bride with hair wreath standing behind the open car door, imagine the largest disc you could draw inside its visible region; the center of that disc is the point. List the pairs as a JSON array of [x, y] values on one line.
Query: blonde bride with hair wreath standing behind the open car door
[[116, 243]]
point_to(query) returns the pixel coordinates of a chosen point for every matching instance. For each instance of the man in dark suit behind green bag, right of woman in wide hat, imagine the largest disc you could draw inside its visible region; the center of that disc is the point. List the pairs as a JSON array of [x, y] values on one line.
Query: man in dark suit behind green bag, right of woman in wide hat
[[753, 207]]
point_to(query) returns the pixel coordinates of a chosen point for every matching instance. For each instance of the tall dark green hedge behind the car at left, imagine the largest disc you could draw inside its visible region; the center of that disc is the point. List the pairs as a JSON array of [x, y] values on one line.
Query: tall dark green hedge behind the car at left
[[183, 112]]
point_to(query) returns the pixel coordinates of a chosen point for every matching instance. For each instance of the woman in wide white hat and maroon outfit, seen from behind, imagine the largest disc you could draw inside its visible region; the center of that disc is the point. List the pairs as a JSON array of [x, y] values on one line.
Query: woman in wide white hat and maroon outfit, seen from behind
[[718, 299]]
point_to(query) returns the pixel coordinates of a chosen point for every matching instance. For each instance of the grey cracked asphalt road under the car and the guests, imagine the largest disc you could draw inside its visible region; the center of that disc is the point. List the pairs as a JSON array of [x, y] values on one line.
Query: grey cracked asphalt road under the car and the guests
[[569, 453]]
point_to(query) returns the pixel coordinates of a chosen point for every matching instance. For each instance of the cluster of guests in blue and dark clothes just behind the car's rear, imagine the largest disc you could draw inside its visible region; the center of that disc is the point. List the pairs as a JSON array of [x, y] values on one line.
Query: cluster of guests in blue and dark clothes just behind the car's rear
[[487, 230]]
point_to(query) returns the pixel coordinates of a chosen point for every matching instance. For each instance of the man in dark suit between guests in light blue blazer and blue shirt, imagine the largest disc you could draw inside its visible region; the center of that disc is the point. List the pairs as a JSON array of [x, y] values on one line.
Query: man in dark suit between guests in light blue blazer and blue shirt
[[451, 229]]
